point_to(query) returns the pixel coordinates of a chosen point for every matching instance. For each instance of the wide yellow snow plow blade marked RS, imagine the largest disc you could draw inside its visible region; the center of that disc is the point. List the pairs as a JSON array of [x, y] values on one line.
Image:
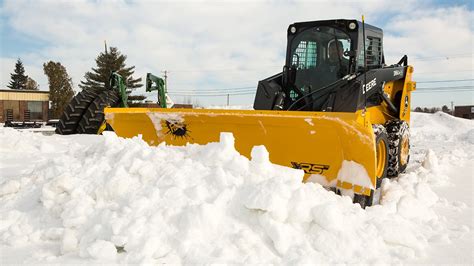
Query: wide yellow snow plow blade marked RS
[[317, 142]]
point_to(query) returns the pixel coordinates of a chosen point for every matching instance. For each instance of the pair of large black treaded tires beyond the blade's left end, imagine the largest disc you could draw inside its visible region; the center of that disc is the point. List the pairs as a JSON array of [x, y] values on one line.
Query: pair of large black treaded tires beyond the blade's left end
[[85, 113]]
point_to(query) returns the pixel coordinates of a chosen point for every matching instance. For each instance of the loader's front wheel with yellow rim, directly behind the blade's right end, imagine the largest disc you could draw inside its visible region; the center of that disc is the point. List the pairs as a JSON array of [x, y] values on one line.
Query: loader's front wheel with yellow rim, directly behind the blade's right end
[[381, 137]]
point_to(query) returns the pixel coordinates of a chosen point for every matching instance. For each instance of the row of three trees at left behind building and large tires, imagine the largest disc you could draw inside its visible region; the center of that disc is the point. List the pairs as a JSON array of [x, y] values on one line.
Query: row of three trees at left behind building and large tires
[[61, 86]]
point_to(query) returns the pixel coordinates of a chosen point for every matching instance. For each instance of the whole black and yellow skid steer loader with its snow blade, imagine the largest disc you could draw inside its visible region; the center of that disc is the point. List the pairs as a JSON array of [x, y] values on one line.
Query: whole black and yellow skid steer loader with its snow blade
[[336, 111]]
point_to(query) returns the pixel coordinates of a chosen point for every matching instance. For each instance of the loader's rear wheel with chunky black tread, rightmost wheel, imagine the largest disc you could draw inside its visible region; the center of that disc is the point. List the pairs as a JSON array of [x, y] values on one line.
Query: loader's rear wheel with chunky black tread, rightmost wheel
[[399, 147]]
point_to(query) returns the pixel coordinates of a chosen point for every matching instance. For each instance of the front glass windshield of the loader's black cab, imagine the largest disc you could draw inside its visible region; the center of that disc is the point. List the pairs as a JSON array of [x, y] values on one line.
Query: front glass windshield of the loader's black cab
[[318, 55]]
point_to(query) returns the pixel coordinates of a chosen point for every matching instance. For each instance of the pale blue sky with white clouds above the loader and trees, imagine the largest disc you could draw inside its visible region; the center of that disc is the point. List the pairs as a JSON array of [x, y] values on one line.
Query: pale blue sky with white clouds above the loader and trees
[[216, 46]]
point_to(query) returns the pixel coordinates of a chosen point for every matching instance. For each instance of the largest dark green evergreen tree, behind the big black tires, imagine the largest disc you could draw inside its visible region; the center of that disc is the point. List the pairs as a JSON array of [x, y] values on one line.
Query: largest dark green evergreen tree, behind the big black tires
[[107, 62]]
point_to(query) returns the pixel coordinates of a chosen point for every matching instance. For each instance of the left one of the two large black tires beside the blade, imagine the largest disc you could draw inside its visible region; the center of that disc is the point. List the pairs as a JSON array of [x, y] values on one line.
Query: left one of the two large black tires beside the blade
[[74, 111]]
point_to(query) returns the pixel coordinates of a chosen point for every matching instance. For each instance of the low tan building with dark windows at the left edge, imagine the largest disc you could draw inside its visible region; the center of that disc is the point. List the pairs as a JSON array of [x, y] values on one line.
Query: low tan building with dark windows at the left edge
[[24, 105]]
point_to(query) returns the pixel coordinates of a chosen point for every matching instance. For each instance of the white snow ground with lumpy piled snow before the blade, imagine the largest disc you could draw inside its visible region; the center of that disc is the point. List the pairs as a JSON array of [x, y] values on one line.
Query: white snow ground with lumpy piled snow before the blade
[[104, 199]]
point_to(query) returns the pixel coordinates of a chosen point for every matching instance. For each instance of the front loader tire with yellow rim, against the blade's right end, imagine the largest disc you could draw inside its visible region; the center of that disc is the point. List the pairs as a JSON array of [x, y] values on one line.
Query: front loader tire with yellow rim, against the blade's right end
[[382, 148]]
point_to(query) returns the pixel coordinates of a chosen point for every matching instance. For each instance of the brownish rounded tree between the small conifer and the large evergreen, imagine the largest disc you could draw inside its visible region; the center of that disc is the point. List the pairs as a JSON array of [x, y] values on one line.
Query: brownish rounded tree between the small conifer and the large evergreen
[[60, 87]]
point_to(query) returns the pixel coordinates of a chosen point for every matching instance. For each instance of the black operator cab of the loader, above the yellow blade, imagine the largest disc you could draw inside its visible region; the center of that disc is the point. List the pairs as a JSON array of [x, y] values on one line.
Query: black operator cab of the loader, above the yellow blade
[[319, 54]]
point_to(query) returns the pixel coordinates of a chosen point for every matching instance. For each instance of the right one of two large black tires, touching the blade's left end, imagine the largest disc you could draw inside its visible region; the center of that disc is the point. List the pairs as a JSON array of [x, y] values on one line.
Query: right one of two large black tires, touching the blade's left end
[[93, 118]]
